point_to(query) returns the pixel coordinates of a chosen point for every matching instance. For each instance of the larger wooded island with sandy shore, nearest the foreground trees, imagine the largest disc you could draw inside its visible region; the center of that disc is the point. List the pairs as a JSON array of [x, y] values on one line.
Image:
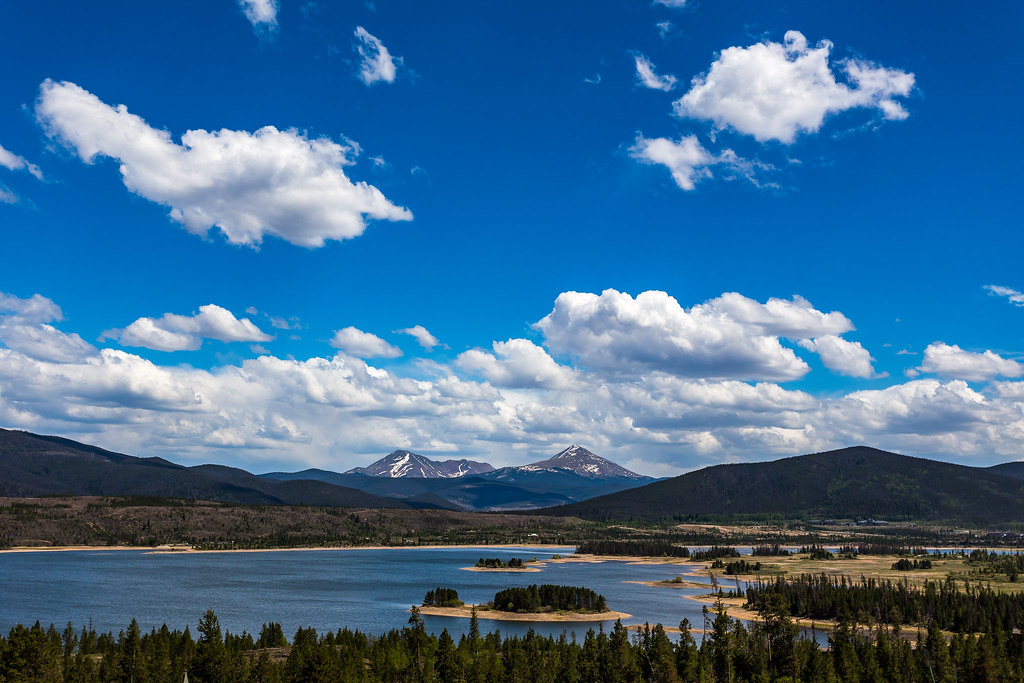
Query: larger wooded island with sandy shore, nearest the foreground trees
[[533, 604]]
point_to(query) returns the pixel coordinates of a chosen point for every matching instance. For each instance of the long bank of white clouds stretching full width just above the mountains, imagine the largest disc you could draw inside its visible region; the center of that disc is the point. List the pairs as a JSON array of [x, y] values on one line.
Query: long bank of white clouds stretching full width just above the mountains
[[642, 389]]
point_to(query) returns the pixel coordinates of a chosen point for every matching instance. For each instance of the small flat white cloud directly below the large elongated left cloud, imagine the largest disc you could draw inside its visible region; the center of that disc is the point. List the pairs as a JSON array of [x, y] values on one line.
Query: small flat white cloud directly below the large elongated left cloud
[[180, 333]]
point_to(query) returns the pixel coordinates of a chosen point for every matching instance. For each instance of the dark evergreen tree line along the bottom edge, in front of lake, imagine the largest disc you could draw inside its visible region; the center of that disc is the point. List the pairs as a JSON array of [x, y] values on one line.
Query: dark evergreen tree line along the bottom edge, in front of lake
[[770, 650]]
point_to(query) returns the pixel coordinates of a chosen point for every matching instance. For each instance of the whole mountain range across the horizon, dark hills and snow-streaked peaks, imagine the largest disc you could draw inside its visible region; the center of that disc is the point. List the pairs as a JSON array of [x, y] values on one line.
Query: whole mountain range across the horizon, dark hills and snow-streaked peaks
[[849, 484]]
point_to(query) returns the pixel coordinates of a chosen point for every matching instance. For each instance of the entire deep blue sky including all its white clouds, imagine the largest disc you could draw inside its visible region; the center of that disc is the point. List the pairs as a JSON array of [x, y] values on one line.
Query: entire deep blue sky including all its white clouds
[[280, 235]]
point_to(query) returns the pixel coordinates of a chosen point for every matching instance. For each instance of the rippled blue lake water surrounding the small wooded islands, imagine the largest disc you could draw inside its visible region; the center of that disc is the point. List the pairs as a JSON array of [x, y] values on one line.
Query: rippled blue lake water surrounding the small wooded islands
[[369, 590]]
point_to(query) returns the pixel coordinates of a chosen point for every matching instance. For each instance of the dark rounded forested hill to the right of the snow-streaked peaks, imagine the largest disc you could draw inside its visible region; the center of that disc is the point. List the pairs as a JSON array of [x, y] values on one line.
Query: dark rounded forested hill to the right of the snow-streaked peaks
[[858, 483]]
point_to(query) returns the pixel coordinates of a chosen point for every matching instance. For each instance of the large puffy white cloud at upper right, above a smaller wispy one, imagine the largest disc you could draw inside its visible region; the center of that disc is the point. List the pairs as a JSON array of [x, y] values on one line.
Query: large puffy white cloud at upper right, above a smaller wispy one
[[775, 92]]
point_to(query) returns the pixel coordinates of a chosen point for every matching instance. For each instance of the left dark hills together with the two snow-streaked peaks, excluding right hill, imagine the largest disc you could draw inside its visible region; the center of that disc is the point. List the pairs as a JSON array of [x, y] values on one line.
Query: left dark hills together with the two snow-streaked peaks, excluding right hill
[[33, 465]]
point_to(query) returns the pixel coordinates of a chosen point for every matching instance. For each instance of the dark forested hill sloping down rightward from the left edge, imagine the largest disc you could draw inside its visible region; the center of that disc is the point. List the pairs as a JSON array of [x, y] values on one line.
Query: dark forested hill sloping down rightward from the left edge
[[32, 466]]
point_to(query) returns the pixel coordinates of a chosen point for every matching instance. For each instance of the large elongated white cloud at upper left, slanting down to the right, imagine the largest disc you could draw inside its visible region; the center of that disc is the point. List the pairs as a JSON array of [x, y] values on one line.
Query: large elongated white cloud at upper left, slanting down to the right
[[248, 185]]
